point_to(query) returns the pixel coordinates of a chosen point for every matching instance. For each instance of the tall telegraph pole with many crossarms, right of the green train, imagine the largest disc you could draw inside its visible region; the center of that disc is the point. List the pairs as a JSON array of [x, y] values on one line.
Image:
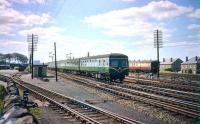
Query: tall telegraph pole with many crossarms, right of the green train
[[158, 43]]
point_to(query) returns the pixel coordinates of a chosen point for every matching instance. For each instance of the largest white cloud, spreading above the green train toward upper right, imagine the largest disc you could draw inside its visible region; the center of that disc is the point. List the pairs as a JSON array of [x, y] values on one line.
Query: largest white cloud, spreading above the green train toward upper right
[[136, 20]]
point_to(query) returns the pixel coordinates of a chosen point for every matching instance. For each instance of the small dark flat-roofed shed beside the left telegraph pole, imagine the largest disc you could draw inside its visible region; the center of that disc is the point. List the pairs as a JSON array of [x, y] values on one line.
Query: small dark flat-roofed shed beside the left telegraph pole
[[40, 70]]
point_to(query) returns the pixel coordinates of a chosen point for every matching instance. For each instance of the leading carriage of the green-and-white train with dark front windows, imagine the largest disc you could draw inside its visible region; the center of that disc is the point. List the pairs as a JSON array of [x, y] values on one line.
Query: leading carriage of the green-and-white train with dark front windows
[[109, 67]]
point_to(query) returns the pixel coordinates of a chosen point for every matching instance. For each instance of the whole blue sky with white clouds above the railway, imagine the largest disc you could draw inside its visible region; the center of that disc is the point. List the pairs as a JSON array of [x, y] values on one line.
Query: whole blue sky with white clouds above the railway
[[101, 27]]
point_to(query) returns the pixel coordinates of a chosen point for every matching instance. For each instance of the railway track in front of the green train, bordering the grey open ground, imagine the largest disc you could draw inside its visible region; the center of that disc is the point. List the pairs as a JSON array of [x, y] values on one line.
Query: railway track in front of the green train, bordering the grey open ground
[[175, 105]]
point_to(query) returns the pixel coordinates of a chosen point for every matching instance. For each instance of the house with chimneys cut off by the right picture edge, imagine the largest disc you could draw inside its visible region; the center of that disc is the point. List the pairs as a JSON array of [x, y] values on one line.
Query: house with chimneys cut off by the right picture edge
[[191, 66]]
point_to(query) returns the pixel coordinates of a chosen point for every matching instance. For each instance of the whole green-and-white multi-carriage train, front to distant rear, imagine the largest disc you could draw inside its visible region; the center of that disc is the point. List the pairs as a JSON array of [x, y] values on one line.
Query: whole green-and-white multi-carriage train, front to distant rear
[[109, 67]]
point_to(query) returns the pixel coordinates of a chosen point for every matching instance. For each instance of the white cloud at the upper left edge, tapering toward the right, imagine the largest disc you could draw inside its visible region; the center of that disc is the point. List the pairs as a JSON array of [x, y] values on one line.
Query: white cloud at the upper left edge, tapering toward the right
[[12, 19]]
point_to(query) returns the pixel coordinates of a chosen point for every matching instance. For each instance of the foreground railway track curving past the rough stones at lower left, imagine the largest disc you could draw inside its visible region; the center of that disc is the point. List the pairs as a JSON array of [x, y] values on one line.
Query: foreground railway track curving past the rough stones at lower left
[[83, 112]]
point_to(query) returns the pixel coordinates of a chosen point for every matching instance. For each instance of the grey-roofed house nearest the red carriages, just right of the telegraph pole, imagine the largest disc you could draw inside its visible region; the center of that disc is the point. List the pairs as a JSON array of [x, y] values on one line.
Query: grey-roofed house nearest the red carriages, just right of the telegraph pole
[[171, 64]]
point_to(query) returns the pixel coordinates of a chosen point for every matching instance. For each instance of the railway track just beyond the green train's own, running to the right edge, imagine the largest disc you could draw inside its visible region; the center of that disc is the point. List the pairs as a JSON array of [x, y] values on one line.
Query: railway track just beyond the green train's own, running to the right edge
[[186, 88]]
